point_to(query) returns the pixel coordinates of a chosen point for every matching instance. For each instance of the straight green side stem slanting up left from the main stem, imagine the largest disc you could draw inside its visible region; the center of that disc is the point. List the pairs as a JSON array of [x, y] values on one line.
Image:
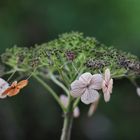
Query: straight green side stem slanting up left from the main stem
[[50, 91]]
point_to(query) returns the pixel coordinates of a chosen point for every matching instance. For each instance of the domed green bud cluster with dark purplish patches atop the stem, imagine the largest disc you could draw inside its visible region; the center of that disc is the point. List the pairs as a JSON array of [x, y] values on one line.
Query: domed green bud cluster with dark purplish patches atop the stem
[[72, 48]]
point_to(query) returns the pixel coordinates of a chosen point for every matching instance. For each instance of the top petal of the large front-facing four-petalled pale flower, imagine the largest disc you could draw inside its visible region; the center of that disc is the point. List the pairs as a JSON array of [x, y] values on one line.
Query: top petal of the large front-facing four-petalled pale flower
[[85, 78]]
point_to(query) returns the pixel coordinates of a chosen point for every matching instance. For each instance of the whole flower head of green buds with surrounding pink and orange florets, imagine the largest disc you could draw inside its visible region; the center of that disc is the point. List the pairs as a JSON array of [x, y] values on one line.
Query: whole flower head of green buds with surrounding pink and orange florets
[[65, 57]]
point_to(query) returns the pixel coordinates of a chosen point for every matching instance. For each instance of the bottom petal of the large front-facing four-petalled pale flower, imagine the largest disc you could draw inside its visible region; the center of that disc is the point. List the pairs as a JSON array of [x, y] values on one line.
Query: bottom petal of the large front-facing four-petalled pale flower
[[89, 96]]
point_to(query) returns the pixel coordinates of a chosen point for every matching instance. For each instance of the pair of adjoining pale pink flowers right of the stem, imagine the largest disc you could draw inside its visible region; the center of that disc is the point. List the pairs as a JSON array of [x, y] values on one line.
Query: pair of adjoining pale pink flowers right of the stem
[[87, 87]]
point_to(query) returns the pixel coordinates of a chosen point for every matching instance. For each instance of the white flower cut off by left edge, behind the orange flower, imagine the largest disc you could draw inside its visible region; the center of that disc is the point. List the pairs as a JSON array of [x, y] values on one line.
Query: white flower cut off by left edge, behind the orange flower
[[3, 86]]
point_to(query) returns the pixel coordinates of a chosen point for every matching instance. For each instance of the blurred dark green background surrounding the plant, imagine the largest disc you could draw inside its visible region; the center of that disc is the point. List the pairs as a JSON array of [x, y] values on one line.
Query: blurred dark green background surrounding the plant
[[33, 115]]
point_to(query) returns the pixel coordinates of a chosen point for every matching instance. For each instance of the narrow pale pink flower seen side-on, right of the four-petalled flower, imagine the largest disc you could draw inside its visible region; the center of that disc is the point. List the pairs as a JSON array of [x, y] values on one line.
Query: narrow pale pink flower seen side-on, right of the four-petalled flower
[[107, 85]]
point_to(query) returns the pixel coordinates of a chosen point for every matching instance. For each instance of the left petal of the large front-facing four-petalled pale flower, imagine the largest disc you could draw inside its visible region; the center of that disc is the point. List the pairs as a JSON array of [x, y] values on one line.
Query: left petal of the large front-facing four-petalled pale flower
[[77, 88]]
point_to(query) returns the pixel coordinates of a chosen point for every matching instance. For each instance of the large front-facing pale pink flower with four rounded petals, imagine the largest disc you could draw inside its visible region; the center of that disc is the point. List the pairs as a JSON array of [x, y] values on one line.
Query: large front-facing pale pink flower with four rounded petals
[[86, 87]]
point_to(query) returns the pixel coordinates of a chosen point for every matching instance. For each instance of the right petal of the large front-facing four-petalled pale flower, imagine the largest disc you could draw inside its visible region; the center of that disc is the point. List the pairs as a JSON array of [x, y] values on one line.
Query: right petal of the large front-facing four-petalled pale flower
[[97, 81]]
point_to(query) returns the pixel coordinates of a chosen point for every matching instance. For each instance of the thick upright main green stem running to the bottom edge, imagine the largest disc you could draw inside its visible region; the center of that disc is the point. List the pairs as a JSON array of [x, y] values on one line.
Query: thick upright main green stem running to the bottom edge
[[68, 120]]
